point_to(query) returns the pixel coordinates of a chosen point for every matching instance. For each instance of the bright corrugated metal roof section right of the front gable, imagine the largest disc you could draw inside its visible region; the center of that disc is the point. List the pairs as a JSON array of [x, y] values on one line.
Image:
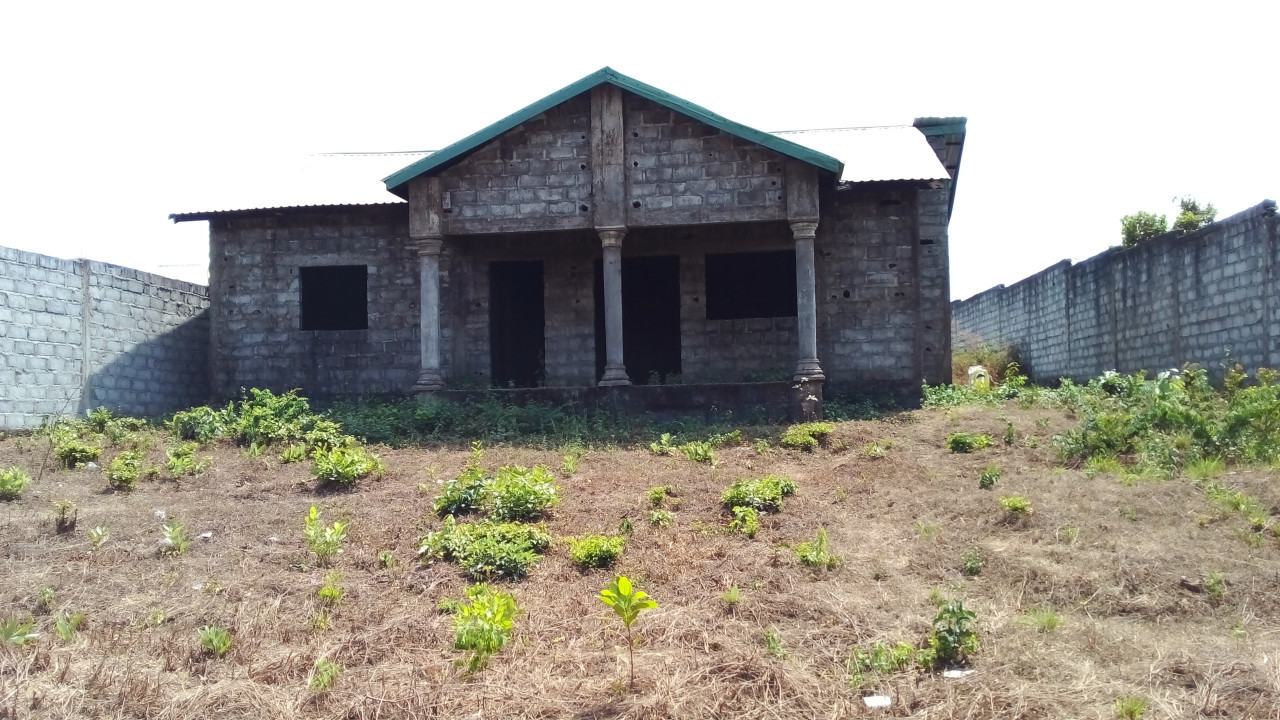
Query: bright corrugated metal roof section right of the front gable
[[892, 153]]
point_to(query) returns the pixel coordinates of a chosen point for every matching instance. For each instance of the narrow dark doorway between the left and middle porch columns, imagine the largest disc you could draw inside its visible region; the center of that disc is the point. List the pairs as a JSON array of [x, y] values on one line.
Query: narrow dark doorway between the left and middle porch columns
[[516, 323]]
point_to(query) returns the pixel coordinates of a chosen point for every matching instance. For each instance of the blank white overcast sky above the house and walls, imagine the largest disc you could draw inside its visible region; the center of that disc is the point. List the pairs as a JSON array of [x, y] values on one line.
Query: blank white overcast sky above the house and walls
[[117, 115]]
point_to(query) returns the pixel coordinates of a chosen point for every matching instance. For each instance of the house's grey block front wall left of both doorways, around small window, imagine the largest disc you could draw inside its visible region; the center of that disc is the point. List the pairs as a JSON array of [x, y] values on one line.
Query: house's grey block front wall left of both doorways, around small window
[[257, 312]]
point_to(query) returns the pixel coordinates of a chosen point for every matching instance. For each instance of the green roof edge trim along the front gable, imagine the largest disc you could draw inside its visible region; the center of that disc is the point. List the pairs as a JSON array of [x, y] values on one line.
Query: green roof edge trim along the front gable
[[396, 183]]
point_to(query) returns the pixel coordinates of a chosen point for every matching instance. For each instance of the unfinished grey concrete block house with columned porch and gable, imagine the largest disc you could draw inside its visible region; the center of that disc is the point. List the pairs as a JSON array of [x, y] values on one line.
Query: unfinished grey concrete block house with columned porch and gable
[[609, 235]]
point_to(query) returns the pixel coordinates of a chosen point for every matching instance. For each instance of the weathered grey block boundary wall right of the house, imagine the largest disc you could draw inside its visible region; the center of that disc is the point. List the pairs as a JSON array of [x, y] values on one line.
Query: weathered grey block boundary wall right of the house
[[1178, 299]]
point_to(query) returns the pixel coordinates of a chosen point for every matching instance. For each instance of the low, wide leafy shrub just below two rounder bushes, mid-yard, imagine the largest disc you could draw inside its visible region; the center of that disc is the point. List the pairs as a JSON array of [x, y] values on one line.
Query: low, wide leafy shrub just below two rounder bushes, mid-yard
[[487, 549]]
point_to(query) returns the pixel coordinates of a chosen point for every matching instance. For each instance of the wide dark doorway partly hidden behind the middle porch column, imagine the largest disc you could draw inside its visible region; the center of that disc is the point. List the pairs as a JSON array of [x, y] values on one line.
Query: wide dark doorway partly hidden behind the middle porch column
[[651, 318]]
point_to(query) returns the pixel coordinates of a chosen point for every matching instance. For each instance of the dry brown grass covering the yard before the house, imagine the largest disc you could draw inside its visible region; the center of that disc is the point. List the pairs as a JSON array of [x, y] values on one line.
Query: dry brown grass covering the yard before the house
[[1136, 619]]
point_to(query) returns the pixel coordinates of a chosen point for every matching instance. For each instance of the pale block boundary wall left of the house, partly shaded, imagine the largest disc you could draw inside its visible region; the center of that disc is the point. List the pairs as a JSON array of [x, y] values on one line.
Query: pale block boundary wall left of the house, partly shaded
[[76, 335]]
